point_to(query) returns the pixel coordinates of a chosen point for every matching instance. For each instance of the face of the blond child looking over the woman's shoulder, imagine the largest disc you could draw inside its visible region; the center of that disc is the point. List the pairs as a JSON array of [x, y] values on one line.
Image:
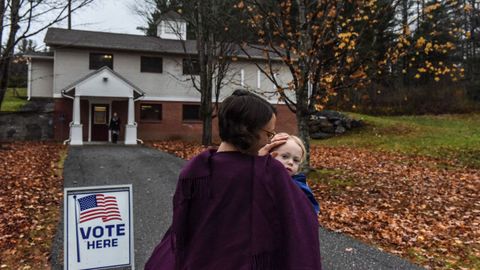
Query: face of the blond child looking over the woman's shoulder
[[290, 155]]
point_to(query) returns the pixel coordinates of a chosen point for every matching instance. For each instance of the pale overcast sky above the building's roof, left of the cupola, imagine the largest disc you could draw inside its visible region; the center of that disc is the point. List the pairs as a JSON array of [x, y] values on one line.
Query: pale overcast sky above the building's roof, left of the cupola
[[103, 15]]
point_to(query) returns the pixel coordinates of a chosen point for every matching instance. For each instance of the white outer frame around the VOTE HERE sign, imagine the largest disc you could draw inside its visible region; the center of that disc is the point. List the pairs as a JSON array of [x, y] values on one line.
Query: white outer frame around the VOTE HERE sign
[[73, 191]]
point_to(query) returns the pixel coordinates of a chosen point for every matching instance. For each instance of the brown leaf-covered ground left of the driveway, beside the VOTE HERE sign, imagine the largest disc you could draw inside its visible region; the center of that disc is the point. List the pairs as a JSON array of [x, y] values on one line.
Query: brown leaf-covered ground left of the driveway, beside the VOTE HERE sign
[[31, 191]]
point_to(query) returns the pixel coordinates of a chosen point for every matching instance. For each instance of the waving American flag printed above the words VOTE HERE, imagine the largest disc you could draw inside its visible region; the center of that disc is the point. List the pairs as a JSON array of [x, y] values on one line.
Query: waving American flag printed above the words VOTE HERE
[[99, 206]]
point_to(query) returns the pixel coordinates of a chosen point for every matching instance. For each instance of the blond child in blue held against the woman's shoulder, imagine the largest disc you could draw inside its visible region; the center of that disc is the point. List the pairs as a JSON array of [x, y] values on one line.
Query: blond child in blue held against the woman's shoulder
[[291, 154]]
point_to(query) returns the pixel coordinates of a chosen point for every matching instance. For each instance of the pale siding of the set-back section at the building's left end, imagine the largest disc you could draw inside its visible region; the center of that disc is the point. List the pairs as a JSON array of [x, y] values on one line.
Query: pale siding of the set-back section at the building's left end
[[41, 80]]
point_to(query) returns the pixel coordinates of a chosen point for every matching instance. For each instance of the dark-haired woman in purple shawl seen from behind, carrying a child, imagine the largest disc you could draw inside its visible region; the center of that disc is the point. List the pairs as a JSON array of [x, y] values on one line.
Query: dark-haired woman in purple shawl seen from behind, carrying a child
[[234, 209]]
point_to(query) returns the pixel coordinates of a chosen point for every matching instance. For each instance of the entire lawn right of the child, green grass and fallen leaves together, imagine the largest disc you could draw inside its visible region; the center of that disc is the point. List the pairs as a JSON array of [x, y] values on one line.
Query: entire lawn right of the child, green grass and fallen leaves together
[[407, 184]]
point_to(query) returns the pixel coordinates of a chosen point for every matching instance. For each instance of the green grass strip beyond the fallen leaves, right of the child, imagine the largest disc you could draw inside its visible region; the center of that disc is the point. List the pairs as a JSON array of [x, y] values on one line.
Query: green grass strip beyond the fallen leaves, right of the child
[[452, 137]]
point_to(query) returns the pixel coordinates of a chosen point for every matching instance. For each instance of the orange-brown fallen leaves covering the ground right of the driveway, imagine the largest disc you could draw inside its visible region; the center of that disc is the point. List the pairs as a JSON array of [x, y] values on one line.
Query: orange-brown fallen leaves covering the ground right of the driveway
[[412, 206]]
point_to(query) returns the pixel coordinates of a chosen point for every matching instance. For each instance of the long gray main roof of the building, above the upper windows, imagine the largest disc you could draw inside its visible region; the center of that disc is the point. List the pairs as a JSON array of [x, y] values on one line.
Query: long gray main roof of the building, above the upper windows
[[58, 37]]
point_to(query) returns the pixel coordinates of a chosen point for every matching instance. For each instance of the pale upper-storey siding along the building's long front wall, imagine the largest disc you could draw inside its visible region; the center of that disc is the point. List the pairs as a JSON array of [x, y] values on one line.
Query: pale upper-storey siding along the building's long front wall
[[73, 64]]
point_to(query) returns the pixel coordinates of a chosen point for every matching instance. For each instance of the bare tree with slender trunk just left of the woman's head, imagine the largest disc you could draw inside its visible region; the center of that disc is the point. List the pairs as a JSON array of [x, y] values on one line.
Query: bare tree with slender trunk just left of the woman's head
[[210, 22]]
